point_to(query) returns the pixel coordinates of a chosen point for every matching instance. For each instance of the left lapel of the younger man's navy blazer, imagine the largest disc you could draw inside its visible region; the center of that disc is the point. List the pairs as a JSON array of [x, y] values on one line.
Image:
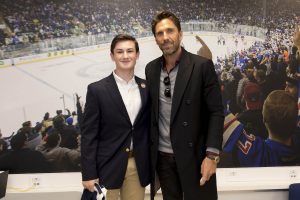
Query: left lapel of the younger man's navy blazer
[[114, 92]]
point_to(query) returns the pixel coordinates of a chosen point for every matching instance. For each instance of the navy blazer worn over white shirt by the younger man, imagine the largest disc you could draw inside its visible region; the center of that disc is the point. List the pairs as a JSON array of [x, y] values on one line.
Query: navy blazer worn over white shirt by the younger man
[[106, 133]]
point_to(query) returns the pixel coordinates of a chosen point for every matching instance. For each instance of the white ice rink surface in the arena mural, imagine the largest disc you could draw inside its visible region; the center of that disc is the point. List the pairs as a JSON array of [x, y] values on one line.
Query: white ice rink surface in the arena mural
[[28, 91]]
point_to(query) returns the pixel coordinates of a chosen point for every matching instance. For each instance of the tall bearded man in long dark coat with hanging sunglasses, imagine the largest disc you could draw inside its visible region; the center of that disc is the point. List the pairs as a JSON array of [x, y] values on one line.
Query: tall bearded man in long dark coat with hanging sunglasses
[[187, 116]]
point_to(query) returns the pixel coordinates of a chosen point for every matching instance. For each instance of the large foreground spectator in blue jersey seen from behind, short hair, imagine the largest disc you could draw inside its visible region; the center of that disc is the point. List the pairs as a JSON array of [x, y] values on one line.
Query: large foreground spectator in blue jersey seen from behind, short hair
[[279, 115]]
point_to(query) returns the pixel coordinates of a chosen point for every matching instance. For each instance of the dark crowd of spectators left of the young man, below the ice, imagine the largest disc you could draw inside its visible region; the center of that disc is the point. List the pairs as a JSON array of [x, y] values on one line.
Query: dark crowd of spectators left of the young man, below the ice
[[51, 145]]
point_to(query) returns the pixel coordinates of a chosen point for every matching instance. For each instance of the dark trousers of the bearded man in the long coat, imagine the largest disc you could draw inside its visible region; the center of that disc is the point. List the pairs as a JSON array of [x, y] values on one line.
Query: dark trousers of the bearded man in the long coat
[[169, 177]]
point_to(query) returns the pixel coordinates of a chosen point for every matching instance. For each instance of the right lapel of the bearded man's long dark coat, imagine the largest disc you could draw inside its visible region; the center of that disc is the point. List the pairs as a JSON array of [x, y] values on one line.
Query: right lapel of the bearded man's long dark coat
[[182, 79]]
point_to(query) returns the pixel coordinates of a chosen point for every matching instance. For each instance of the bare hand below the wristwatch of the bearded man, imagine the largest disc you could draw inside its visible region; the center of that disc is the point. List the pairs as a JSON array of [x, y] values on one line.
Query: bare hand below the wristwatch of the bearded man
[[208, 168]]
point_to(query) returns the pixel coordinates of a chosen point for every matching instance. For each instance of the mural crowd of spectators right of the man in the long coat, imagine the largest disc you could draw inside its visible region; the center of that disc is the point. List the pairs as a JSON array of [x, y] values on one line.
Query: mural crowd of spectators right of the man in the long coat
[[252, 83]]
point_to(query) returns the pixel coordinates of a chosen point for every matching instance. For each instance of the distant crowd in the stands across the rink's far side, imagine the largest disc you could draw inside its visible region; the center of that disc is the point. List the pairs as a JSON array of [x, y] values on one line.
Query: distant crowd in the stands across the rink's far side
[[35, 20]]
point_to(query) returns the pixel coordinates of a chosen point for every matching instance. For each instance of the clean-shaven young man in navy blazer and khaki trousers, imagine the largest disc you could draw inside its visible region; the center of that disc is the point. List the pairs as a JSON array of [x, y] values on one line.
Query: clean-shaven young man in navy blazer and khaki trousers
[[115, 128]]
